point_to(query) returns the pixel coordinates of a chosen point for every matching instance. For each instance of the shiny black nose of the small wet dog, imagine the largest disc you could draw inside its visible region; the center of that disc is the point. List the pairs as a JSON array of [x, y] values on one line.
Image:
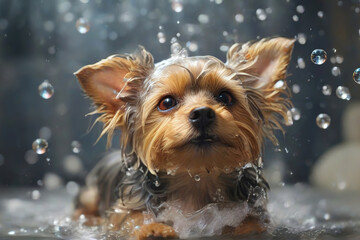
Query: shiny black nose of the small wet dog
[[202, 117]]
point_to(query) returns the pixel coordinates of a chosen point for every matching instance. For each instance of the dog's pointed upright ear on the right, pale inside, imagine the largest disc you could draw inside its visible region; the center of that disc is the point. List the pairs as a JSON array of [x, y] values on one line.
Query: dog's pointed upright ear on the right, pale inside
[[261, 66]]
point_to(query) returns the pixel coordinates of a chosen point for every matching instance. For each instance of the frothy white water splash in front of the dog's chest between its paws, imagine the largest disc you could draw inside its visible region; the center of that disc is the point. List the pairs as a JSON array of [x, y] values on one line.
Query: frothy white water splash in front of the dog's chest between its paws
[[208, 221]]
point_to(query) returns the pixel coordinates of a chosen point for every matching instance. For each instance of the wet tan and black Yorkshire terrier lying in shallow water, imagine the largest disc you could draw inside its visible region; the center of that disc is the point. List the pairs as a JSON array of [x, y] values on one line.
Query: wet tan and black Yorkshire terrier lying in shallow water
[[192, 135]]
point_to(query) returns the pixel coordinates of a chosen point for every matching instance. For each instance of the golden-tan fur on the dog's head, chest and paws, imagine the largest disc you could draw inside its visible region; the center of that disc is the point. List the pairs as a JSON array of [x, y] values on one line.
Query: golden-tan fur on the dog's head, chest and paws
[[127, 89]]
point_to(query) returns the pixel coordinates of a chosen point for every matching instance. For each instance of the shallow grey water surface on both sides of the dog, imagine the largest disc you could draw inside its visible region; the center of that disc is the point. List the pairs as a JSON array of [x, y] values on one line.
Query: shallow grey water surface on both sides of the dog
[[297, 212]]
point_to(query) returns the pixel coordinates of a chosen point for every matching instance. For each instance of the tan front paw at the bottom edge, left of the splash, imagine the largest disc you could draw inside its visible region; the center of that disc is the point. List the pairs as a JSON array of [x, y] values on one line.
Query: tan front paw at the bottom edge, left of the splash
[[155, 231]]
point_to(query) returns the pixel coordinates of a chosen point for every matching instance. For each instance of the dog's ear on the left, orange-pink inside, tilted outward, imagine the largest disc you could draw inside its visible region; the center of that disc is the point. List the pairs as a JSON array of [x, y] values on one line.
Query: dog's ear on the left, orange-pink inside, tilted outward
[[114, 83]]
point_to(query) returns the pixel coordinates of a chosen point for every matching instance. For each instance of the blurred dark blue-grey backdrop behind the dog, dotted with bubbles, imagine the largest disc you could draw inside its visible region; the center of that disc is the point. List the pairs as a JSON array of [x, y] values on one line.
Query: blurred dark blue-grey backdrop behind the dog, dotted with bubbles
[[49, 40]]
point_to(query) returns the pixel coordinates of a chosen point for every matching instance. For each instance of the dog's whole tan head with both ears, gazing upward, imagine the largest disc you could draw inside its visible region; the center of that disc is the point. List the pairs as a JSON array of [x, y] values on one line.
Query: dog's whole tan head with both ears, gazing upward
[[193, 113]]
